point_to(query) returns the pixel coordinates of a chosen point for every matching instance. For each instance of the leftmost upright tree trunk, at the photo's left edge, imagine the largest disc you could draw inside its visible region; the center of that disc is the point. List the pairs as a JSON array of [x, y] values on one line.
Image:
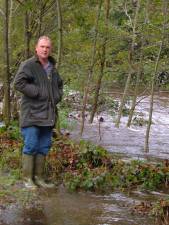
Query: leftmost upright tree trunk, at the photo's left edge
[[6, 108]]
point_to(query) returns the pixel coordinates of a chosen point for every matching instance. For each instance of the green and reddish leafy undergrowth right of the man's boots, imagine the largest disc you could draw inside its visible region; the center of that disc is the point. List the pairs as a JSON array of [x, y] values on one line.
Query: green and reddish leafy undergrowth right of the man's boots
[[89, 167]]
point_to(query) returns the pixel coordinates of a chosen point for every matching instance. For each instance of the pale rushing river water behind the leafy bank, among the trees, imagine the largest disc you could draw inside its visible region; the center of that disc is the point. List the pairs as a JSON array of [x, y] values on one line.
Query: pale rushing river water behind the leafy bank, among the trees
[[130, 141]]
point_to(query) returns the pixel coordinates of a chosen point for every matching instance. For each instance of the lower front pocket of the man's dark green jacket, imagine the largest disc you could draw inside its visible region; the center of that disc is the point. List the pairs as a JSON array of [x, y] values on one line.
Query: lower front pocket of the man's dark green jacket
[[39, 110]]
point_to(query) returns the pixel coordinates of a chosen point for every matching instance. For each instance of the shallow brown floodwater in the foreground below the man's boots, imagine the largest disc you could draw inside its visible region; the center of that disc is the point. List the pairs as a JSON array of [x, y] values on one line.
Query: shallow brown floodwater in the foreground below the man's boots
[[63, 208]]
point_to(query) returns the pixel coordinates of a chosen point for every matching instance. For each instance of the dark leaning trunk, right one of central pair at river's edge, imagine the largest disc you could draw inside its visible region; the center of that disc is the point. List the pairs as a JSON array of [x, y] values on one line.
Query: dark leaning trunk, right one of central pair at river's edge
[[102, 64]]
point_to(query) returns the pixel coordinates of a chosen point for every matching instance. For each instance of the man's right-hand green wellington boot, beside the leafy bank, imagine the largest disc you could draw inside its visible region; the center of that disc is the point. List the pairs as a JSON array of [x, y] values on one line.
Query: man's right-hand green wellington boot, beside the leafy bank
[[39, 172]]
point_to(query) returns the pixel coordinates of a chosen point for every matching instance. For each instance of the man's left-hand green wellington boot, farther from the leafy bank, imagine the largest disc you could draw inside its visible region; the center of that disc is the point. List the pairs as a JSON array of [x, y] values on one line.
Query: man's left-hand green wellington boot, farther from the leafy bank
[[28, 167]]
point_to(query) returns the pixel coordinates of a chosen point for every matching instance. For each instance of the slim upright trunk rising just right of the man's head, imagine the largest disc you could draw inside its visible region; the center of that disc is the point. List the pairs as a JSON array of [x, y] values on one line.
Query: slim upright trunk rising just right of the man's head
[[60, 33]]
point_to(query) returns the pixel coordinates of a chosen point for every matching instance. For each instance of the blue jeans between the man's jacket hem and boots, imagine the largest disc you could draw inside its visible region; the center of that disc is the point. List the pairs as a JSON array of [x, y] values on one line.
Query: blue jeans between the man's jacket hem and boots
[[37, 140]]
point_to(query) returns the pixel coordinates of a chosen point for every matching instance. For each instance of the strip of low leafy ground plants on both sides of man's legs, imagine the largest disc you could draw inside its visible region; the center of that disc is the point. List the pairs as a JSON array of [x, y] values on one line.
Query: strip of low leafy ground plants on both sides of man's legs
[[84, 166]]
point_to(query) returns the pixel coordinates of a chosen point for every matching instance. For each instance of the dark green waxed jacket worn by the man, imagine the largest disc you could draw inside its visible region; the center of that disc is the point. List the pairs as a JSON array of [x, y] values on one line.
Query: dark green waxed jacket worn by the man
[[40, 93]]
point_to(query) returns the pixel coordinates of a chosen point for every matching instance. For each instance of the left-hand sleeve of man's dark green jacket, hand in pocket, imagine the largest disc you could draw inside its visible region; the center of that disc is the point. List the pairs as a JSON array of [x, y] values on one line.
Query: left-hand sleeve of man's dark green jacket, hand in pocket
[[24, 82]]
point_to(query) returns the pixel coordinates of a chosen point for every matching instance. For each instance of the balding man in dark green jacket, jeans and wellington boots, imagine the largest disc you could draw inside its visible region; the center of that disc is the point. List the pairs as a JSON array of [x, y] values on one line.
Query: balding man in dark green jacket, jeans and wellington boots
[[41, 88]]
